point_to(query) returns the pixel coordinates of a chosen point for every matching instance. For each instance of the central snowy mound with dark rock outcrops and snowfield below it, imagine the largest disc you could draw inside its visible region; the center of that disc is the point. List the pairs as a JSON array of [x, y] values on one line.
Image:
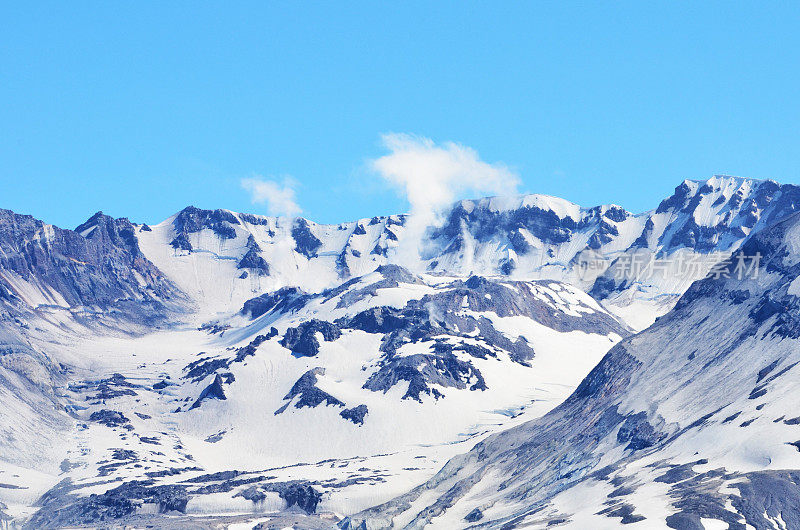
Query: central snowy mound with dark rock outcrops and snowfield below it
[[375, 382]]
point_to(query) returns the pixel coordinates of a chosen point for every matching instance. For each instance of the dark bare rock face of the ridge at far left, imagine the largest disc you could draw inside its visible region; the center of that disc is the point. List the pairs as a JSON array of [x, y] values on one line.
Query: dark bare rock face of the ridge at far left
[[101, 268]]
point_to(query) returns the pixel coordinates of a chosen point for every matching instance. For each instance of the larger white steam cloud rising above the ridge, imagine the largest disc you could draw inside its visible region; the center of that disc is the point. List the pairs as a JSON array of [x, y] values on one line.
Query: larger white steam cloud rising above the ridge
[[433, 176]]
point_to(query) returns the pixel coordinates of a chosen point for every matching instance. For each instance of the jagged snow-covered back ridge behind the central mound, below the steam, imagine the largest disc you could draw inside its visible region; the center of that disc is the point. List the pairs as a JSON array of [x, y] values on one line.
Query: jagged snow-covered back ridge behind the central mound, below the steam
[[222, 258]]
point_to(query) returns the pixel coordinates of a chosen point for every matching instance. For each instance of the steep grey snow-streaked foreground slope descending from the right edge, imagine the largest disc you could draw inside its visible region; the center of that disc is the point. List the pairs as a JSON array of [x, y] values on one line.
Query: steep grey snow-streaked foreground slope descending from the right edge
[[692, 423]]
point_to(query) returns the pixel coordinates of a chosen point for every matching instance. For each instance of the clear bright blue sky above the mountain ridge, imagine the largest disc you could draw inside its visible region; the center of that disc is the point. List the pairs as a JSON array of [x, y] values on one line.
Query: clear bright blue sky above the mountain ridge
[[141, 108]]
